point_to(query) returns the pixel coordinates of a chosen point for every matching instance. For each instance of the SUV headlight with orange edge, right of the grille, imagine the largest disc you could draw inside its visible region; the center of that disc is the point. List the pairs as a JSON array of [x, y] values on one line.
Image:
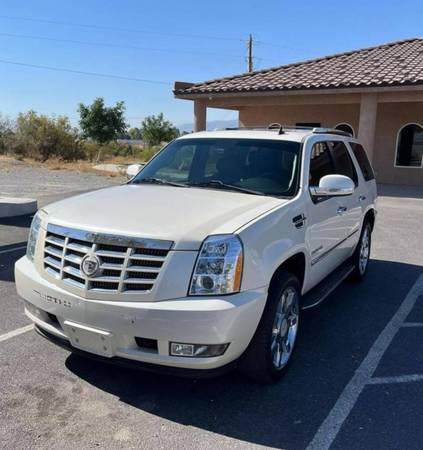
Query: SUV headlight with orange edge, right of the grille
[[219, 266]]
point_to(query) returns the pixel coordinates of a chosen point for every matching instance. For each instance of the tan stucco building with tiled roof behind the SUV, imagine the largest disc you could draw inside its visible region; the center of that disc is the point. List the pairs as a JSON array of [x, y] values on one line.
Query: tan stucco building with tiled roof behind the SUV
[[375, 93]]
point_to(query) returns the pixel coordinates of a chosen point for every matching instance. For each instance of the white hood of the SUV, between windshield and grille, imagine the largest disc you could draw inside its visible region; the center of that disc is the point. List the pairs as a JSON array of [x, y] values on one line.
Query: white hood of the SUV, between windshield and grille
[[183, 215]]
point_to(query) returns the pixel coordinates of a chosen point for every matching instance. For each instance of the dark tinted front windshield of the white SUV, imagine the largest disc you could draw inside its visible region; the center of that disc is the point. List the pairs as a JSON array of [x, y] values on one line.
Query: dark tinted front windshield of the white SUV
[[257, 166]]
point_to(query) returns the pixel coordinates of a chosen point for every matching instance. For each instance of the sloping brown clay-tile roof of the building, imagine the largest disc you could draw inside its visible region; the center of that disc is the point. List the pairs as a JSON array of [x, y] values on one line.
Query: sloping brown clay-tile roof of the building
[[396, 63]]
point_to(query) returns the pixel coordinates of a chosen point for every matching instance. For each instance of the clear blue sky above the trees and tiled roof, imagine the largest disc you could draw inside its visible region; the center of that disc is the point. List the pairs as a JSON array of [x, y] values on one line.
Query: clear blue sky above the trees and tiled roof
[[163, 41]]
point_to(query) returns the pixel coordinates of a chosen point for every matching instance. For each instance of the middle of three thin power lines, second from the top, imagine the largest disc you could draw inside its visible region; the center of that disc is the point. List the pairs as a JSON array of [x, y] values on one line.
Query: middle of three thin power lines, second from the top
[[104, 44]]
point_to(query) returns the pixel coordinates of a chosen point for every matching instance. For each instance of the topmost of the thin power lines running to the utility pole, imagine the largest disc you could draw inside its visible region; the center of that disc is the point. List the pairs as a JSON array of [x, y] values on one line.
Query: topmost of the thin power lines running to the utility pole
[[131, 30]]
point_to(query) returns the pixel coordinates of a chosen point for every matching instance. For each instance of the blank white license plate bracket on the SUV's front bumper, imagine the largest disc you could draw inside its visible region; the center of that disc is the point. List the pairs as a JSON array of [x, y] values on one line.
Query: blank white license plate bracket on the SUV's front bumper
[[89, 339]]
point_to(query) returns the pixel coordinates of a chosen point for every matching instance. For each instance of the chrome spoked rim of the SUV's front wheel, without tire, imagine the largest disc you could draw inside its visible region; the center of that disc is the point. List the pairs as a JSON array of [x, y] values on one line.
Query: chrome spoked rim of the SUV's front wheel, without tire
[[285, 326]]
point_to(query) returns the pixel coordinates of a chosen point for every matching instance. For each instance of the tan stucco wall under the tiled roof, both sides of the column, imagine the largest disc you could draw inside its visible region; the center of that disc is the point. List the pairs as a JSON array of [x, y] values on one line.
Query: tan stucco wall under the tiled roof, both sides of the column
[[390, 118]]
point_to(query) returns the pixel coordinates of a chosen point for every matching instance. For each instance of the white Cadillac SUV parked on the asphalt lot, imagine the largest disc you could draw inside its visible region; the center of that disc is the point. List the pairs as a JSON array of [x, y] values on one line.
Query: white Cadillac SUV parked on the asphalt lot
[[205, 259]]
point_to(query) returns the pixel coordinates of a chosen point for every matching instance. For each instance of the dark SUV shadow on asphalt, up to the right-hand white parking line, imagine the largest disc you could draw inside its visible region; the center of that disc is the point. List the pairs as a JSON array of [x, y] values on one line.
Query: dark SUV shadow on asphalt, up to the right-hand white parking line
[[334, 340]]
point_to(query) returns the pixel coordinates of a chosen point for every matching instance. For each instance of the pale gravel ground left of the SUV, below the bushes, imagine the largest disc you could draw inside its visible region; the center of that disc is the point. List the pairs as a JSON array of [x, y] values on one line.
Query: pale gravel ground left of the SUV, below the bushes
[[20, 179]]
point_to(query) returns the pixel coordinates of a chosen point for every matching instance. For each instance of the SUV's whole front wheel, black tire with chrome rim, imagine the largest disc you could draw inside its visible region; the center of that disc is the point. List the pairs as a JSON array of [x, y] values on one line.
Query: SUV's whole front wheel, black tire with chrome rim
[[261, 361]]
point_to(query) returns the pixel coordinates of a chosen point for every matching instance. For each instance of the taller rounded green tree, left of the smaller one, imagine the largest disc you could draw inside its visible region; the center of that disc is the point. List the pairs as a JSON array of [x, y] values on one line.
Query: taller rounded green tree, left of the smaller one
[[101, 123]]
